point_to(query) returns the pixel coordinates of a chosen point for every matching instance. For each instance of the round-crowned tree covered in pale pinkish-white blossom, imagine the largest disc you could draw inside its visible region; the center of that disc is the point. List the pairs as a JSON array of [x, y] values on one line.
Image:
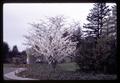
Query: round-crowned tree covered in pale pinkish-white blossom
[[47, 39]]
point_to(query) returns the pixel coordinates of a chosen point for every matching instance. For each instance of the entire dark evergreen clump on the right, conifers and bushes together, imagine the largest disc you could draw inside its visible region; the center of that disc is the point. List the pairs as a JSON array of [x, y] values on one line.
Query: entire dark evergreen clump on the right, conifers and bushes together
[[97, 52]]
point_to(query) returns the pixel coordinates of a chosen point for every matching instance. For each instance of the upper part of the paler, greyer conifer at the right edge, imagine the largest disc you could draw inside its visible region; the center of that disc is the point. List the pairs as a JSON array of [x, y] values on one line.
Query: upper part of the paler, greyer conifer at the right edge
[[110, 26]]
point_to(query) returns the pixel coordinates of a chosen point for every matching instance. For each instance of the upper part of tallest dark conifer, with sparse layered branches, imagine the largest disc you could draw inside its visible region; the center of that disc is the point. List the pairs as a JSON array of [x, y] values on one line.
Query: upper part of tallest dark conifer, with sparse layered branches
[[96, 18]]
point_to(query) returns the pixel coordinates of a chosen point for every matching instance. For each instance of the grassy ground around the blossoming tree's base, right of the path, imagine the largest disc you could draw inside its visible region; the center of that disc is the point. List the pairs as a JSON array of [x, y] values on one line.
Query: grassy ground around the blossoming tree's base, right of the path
[[64, 71]]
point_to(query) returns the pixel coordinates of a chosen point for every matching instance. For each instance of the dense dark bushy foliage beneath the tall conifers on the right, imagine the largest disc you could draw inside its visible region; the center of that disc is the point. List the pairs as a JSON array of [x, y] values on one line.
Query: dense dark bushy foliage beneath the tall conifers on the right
[[97, 58]]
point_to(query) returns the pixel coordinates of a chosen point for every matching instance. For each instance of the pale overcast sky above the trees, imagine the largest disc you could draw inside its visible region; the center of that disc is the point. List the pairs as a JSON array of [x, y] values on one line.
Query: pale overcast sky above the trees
[[17, 16]]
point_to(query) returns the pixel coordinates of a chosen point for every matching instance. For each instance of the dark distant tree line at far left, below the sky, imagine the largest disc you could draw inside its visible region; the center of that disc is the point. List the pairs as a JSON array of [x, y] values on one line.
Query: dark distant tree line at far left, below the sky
[[9, 55]]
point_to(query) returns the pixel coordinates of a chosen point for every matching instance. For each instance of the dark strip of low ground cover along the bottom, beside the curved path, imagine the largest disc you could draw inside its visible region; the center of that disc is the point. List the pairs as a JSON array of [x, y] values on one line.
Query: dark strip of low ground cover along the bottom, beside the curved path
[[68, 76]]
